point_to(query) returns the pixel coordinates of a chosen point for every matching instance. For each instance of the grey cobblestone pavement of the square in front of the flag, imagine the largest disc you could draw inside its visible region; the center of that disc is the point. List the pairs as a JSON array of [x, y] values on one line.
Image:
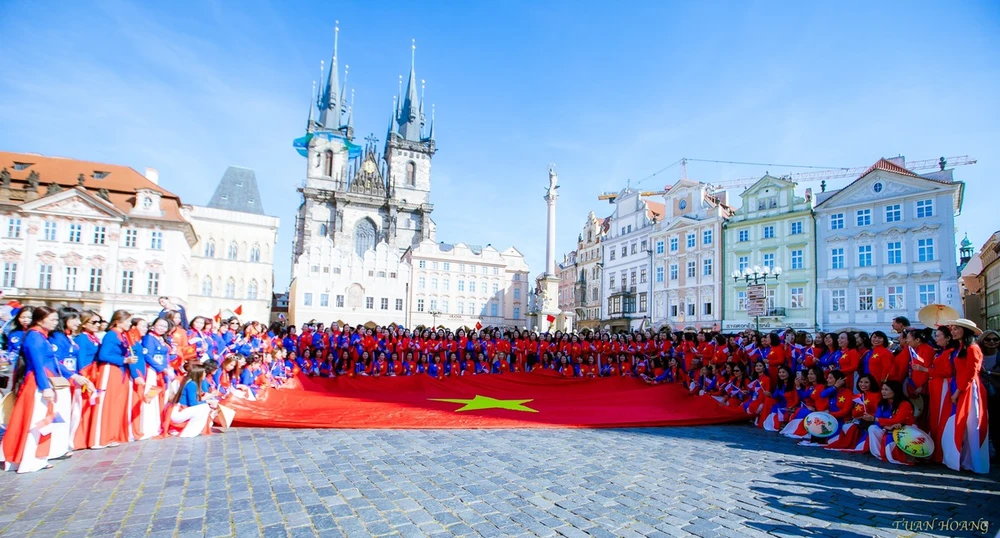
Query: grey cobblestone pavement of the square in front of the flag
[[705, 481]]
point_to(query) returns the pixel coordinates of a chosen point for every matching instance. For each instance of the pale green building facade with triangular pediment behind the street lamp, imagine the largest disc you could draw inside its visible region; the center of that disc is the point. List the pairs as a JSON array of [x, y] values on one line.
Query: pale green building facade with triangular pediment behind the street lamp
[[774, 228]]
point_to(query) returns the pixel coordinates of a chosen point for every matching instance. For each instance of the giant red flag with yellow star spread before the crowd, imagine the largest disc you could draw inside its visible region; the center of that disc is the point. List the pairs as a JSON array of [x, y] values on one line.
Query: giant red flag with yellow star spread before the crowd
[[522, 400]]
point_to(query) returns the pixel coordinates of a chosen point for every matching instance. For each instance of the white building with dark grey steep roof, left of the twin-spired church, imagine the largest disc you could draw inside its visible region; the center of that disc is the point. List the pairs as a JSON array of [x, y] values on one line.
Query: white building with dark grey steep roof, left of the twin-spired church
[[232, 264]]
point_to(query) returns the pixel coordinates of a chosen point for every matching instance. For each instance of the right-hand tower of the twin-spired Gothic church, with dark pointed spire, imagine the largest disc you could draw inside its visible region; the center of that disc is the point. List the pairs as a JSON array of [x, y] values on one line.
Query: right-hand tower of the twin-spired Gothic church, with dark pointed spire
[[409, 147]]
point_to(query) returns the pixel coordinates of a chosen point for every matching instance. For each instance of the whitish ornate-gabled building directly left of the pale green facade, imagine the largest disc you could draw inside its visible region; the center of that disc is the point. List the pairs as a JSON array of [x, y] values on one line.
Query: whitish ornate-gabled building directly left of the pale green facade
[[686, 257]]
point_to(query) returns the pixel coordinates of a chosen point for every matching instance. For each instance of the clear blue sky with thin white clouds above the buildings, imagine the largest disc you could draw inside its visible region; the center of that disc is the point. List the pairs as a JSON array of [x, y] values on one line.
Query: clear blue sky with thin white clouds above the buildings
[[607, 93]]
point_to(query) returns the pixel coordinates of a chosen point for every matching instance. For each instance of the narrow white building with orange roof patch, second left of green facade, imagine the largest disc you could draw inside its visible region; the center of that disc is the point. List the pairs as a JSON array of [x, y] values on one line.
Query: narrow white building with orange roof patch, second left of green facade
[[628, 261]]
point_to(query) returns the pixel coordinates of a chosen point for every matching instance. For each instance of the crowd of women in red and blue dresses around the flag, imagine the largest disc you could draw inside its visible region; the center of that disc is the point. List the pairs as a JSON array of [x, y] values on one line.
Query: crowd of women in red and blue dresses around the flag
[[77, 388]]
